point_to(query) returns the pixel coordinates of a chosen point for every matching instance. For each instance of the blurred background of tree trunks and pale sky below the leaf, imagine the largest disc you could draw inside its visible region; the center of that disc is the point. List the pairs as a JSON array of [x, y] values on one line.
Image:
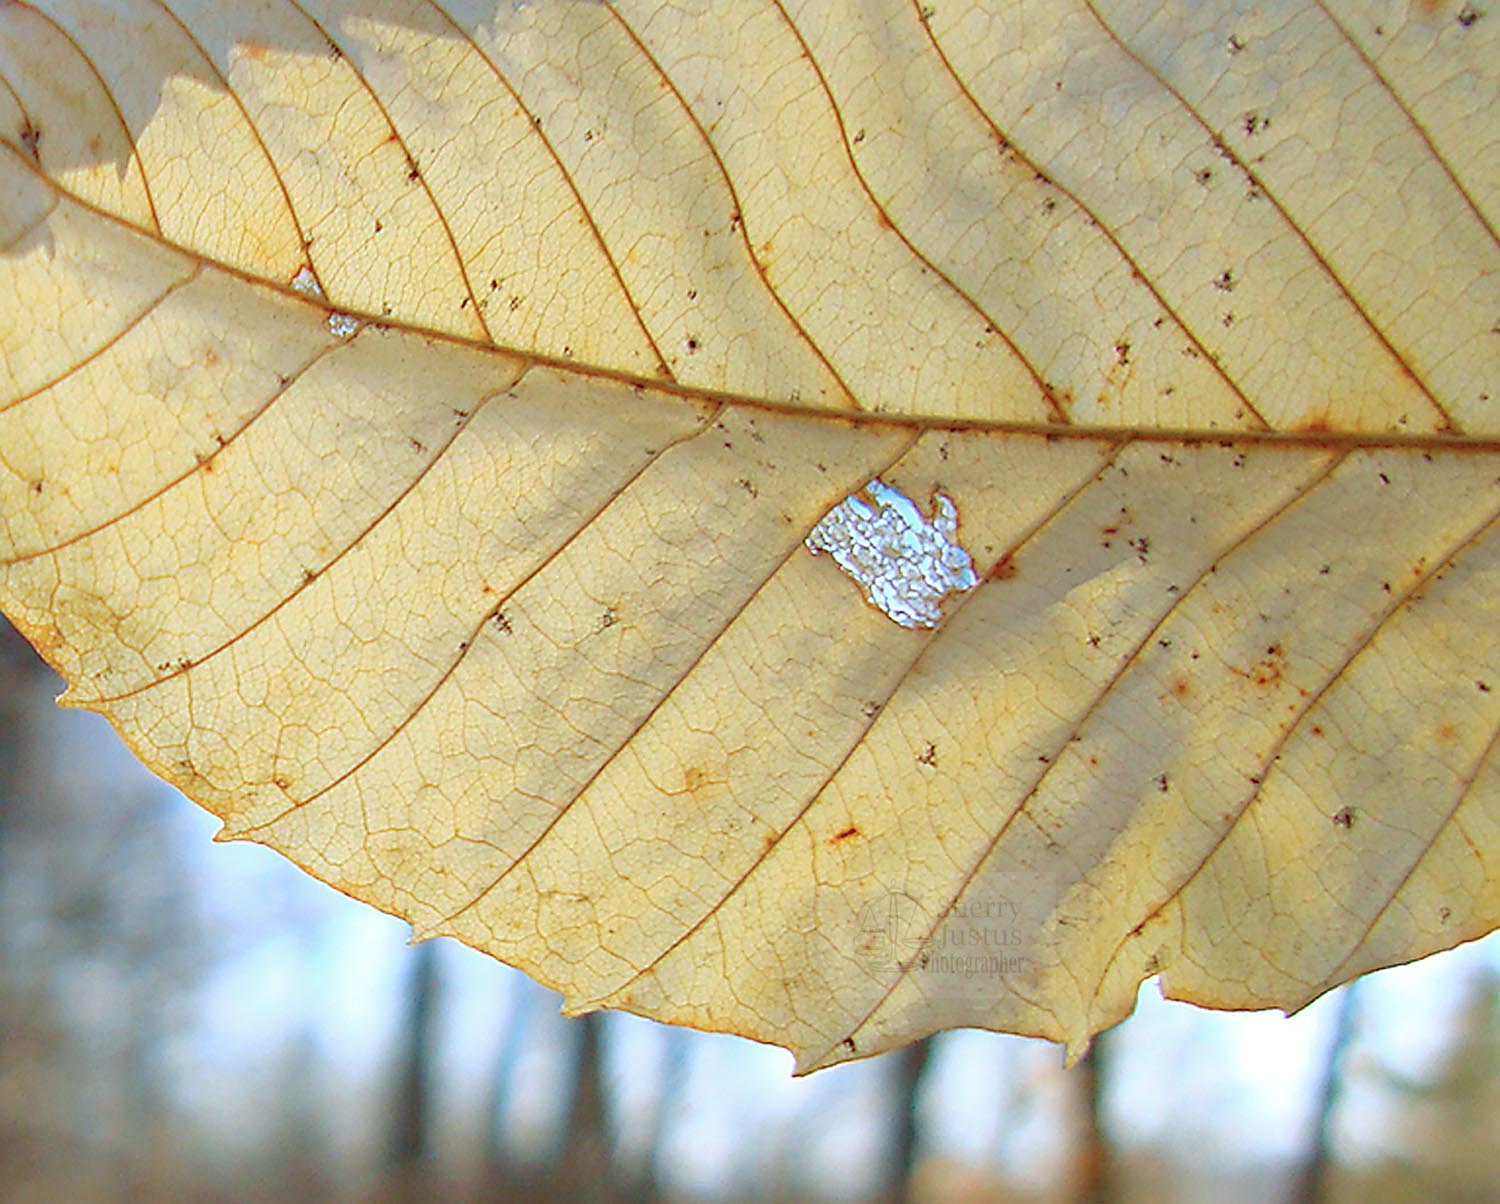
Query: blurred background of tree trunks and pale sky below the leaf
[[184, 1020]]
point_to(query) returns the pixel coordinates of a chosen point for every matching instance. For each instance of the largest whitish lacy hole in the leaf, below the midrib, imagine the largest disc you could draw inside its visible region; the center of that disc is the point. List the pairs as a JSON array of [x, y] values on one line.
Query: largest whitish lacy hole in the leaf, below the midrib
[[905, 563]]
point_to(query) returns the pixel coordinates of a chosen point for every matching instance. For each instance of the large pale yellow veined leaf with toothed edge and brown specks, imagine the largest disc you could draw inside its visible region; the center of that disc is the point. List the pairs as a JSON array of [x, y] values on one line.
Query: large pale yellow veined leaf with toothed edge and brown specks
[[817, 520]]
